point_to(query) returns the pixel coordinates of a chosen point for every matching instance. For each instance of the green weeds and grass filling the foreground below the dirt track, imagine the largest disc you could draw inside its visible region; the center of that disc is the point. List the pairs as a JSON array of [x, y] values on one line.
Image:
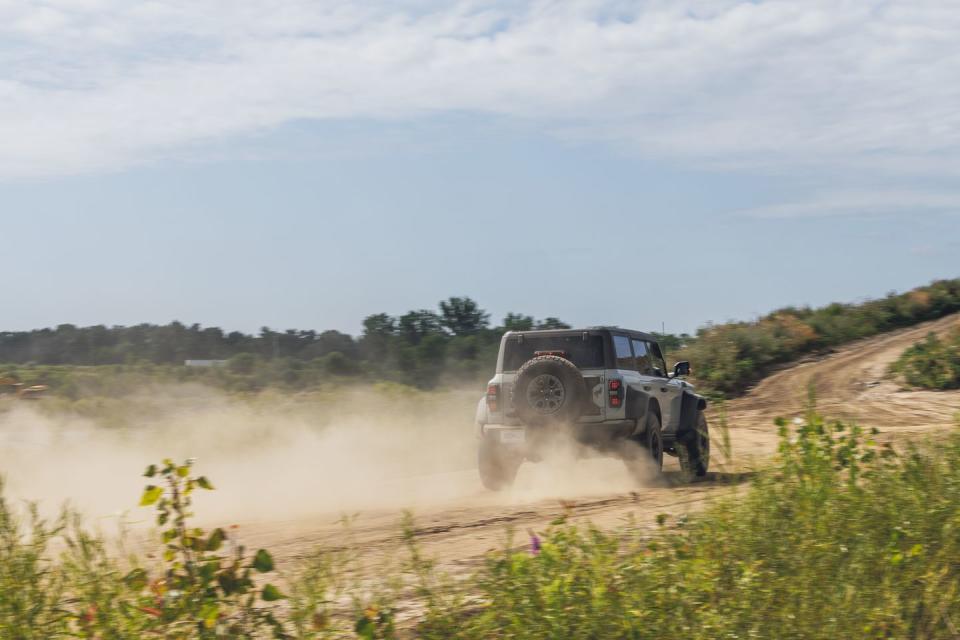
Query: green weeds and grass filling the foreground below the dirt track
[[840, 538]]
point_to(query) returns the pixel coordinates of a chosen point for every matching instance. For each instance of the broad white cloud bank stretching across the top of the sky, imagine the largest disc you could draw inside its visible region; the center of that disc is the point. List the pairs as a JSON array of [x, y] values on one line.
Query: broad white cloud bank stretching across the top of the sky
[[101, 84]]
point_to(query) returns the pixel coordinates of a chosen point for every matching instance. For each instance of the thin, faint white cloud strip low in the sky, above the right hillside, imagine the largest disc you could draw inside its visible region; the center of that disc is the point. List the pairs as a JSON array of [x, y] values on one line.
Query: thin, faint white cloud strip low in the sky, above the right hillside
[[866, 202]]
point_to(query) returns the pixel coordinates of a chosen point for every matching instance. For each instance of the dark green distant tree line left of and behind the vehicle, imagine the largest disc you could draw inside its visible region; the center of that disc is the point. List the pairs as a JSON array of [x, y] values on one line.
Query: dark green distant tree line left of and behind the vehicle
[[455, 339]]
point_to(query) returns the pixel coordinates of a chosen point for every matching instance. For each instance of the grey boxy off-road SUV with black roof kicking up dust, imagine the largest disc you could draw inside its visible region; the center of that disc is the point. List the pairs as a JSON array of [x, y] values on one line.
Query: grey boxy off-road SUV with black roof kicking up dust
[[604, 389]]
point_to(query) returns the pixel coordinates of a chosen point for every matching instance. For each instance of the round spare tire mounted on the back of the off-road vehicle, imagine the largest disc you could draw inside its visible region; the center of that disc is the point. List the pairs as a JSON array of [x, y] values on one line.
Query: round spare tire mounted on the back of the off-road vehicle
[[548, 389]]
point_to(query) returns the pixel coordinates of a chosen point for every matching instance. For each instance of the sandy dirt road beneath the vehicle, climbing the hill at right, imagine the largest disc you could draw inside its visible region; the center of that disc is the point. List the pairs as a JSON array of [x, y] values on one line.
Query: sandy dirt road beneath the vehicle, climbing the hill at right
[[850, 384]]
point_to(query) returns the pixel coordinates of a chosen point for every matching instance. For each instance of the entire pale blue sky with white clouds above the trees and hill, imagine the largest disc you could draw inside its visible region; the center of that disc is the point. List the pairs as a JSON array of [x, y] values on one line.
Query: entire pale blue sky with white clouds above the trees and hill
[[302, 164]]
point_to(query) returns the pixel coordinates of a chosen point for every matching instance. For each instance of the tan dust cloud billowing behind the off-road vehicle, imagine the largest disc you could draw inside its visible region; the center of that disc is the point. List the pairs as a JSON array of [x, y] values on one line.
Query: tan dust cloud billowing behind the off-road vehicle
[[272, 457]]
